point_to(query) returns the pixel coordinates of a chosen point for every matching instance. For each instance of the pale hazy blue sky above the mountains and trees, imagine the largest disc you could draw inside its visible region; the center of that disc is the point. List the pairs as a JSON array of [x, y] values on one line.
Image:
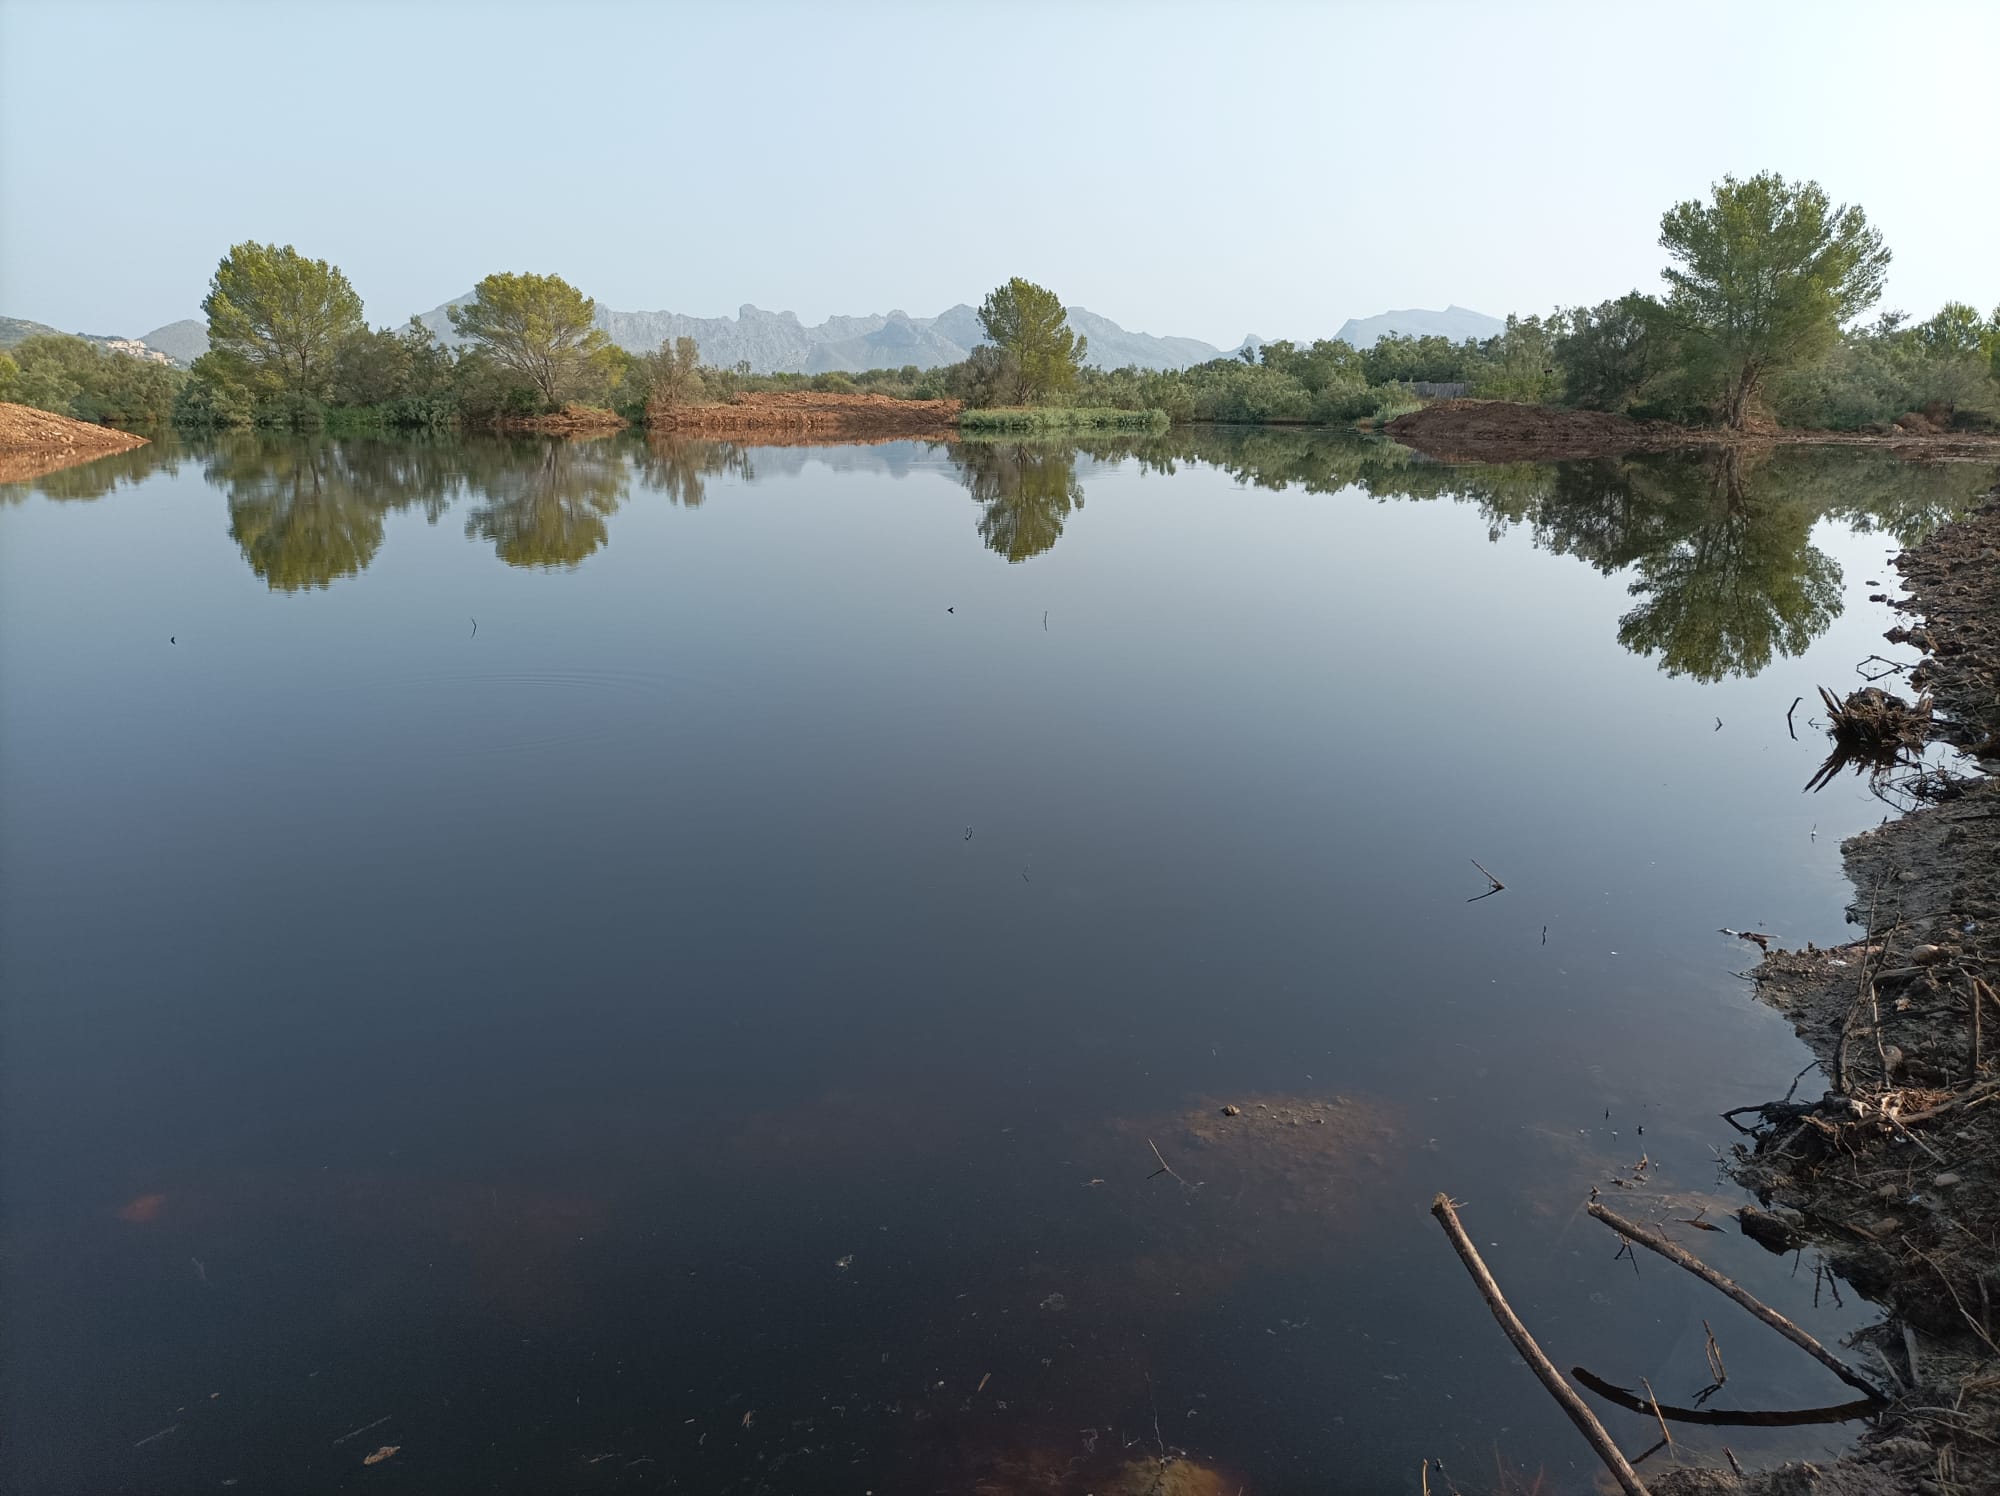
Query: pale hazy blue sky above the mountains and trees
[[1203, 171]]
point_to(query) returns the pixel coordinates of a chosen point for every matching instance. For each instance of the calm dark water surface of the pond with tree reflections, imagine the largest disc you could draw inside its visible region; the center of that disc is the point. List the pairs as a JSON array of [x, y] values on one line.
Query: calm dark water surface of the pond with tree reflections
[[631, 969]]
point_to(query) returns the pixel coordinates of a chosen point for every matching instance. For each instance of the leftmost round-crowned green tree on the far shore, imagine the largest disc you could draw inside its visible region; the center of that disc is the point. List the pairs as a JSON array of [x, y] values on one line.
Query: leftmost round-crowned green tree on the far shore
[[275, 319]]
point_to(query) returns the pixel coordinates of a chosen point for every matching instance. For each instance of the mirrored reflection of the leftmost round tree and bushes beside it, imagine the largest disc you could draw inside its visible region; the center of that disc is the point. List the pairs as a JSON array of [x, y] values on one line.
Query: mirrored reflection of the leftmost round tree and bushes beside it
[[309, 511]]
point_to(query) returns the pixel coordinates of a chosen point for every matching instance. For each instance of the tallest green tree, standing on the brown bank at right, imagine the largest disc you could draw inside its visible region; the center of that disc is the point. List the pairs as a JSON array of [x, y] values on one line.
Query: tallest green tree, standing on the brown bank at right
[[1763, 279]]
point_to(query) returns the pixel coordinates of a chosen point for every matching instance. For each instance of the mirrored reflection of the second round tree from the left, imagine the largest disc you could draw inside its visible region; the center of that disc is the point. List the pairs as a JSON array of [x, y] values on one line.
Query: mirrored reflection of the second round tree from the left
[[547, 503]]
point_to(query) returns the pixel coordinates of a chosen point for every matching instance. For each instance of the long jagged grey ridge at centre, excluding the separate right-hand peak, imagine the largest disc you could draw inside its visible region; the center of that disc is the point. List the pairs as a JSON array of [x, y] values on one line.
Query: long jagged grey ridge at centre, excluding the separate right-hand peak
[[779, 343]]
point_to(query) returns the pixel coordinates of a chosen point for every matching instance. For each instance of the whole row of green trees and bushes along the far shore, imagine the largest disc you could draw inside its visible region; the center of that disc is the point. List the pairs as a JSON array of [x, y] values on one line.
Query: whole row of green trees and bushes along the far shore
[[1761, 323]]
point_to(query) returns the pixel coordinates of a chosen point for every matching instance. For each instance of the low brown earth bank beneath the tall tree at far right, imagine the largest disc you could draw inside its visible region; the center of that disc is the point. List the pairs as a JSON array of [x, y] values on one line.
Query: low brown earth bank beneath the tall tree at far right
[[1503, 431]]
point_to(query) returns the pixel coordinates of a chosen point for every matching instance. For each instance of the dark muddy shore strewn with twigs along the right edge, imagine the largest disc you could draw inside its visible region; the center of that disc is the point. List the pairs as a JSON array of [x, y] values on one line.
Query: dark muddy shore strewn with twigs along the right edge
[[1895, 1175]]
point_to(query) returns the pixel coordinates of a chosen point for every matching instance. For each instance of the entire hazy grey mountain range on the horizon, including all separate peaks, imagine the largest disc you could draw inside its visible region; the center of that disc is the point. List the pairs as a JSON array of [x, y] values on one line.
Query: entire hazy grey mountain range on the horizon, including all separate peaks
[[773, 343]]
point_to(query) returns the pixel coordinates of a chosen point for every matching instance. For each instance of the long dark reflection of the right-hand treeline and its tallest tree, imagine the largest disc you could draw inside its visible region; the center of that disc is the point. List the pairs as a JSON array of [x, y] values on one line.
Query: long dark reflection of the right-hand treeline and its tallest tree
[[1717, 543]]
